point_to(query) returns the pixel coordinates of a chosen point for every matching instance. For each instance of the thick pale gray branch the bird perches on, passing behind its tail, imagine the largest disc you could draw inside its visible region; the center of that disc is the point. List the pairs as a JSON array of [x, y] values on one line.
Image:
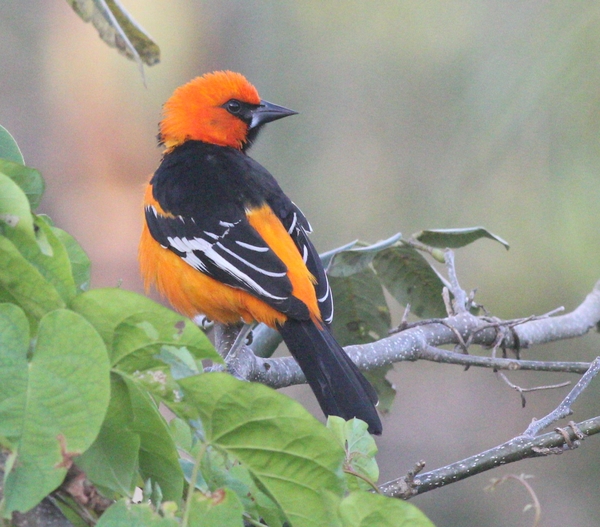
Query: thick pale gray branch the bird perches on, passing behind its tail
[[423, 342]]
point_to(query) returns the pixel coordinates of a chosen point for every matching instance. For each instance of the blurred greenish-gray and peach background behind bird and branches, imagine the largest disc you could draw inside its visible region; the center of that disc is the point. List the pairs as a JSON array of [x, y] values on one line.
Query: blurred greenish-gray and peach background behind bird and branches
[[413, 114]]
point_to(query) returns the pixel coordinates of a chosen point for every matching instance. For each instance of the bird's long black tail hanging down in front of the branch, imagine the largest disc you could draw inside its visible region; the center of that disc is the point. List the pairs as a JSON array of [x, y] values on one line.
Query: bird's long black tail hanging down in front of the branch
[[335, 380]]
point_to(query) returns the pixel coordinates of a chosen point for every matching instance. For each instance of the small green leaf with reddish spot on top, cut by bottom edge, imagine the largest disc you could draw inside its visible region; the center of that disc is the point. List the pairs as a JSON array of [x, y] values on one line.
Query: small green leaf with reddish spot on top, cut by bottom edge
[[221, 509]]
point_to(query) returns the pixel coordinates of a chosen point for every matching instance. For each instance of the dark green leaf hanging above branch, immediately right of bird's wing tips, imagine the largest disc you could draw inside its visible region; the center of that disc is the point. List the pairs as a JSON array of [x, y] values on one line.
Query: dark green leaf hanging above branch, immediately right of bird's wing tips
[[361, 311]]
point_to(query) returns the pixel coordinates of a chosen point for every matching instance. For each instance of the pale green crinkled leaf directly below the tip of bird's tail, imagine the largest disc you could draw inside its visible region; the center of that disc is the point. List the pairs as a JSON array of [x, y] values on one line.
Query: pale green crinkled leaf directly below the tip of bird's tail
[[360, 450]]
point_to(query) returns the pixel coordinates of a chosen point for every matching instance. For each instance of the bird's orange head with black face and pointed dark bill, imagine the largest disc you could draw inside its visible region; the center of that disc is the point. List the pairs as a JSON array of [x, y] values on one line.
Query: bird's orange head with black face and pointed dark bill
[[221, 108]]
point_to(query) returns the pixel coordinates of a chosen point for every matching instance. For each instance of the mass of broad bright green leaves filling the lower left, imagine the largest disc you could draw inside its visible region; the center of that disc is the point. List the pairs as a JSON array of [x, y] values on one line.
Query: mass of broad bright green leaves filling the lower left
[[83, 373]]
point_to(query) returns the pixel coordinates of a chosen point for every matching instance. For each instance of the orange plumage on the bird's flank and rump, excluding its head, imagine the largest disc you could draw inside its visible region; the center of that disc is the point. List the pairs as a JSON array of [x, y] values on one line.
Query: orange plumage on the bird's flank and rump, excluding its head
[[191, 292]]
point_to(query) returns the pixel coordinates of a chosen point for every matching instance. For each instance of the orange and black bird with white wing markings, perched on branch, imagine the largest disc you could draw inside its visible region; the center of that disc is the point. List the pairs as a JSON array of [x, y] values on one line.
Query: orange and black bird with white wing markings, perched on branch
[[222, 239]]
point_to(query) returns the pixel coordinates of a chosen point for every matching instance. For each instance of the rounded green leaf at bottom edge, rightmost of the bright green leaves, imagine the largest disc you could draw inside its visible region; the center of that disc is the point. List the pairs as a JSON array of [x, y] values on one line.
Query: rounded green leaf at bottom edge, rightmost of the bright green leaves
[[363, 509]]
